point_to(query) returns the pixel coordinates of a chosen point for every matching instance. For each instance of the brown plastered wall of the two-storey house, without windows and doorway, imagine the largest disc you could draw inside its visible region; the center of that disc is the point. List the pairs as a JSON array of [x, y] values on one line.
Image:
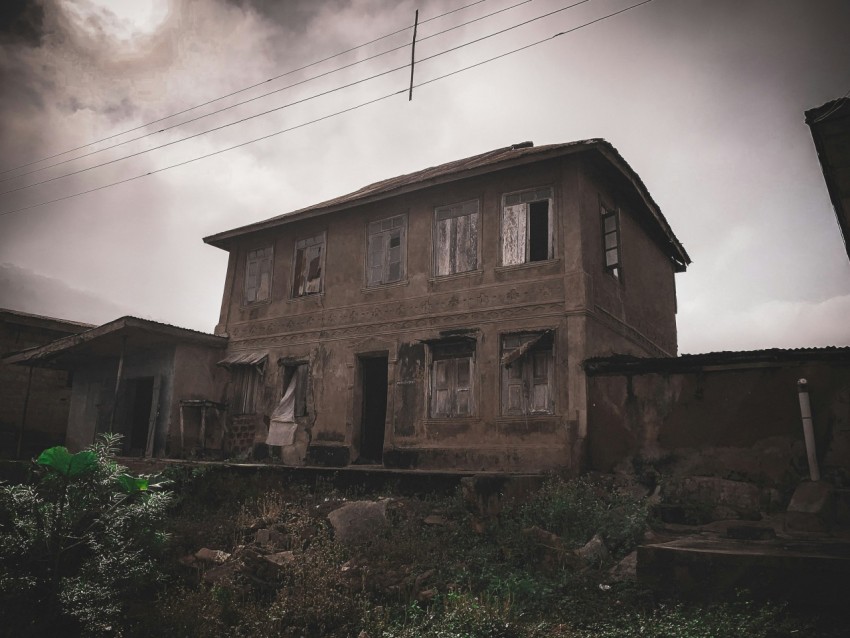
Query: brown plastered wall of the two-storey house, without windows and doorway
[[349, 320]]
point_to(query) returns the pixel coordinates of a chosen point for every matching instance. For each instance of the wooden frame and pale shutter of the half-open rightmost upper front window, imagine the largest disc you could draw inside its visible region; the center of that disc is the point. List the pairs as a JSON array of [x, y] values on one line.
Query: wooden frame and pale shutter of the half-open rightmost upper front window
[[518, 204]]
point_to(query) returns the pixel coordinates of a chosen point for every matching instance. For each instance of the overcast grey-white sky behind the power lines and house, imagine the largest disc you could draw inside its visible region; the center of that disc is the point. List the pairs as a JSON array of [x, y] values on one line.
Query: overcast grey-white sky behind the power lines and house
[[704, 98]]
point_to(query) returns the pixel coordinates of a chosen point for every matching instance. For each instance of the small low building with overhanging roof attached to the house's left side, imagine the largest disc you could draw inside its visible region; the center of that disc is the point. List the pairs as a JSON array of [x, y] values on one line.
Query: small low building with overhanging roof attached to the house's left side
[[156, 384]]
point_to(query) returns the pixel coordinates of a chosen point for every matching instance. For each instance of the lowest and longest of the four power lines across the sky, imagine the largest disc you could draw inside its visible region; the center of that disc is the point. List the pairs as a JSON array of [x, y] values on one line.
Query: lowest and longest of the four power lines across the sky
[[326, 117]]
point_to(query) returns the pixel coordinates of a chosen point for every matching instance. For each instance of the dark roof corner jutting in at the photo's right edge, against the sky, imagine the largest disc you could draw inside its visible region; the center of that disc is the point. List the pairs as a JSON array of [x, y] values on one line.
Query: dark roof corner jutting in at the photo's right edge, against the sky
[[830, 126]]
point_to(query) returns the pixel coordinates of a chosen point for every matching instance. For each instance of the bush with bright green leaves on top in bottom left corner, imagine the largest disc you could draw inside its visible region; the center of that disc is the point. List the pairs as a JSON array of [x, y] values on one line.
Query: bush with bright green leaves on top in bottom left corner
[[76, 542]]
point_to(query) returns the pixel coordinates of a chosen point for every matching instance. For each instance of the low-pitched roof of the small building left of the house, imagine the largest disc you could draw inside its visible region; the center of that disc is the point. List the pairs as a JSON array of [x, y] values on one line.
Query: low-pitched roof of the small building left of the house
[[129, 333]]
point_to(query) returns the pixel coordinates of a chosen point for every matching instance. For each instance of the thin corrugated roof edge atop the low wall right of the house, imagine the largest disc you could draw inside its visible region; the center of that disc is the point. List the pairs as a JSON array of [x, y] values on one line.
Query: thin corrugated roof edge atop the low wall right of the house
[[771, 357]]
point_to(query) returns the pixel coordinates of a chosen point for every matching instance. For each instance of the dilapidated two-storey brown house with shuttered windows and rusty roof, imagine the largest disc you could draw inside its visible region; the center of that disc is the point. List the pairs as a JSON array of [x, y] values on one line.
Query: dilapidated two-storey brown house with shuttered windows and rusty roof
[[440, 319]]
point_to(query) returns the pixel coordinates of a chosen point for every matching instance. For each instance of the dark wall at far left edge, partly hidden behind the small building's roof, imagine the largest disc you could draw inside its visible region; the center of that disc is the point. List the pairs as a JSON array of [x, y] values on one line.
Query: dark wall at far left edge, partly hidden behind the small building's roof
[[44, 393]]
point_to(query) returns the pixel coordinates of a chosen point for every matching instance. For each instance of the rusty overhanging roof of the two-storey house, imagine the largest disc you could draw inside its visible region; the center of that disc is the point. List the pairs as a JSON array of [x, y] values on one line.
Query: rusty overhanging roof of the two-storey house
[[509, 156]]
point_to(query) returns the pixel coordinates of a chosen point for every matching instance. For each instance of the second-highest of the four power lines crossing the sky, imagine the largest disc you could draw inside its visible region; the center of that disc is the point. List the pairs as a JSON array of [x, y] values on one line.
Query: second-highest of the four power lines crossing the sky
[[232, 106]]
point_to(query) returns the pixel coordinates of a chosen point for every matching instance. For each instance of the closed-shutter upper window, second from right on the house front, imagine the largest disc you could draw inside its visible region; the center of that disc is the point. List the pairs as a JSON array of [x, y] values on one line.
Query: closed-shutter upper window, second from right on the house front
[[456, 238]]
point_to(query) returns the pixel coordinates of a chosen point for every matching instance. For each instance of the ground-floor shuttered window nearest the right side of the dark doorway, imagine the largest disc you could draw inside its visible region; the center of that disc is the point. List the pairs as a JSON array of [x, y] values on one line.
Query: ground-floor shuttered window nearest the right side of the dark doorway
[[451, 379]]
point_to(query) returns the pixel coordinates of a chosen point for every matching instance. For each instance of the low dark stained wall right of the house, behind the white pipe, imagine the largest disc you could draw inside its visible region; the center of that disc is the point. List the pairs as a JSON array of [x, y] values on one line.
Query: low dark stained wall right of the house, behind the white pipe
[[746, 416]]
